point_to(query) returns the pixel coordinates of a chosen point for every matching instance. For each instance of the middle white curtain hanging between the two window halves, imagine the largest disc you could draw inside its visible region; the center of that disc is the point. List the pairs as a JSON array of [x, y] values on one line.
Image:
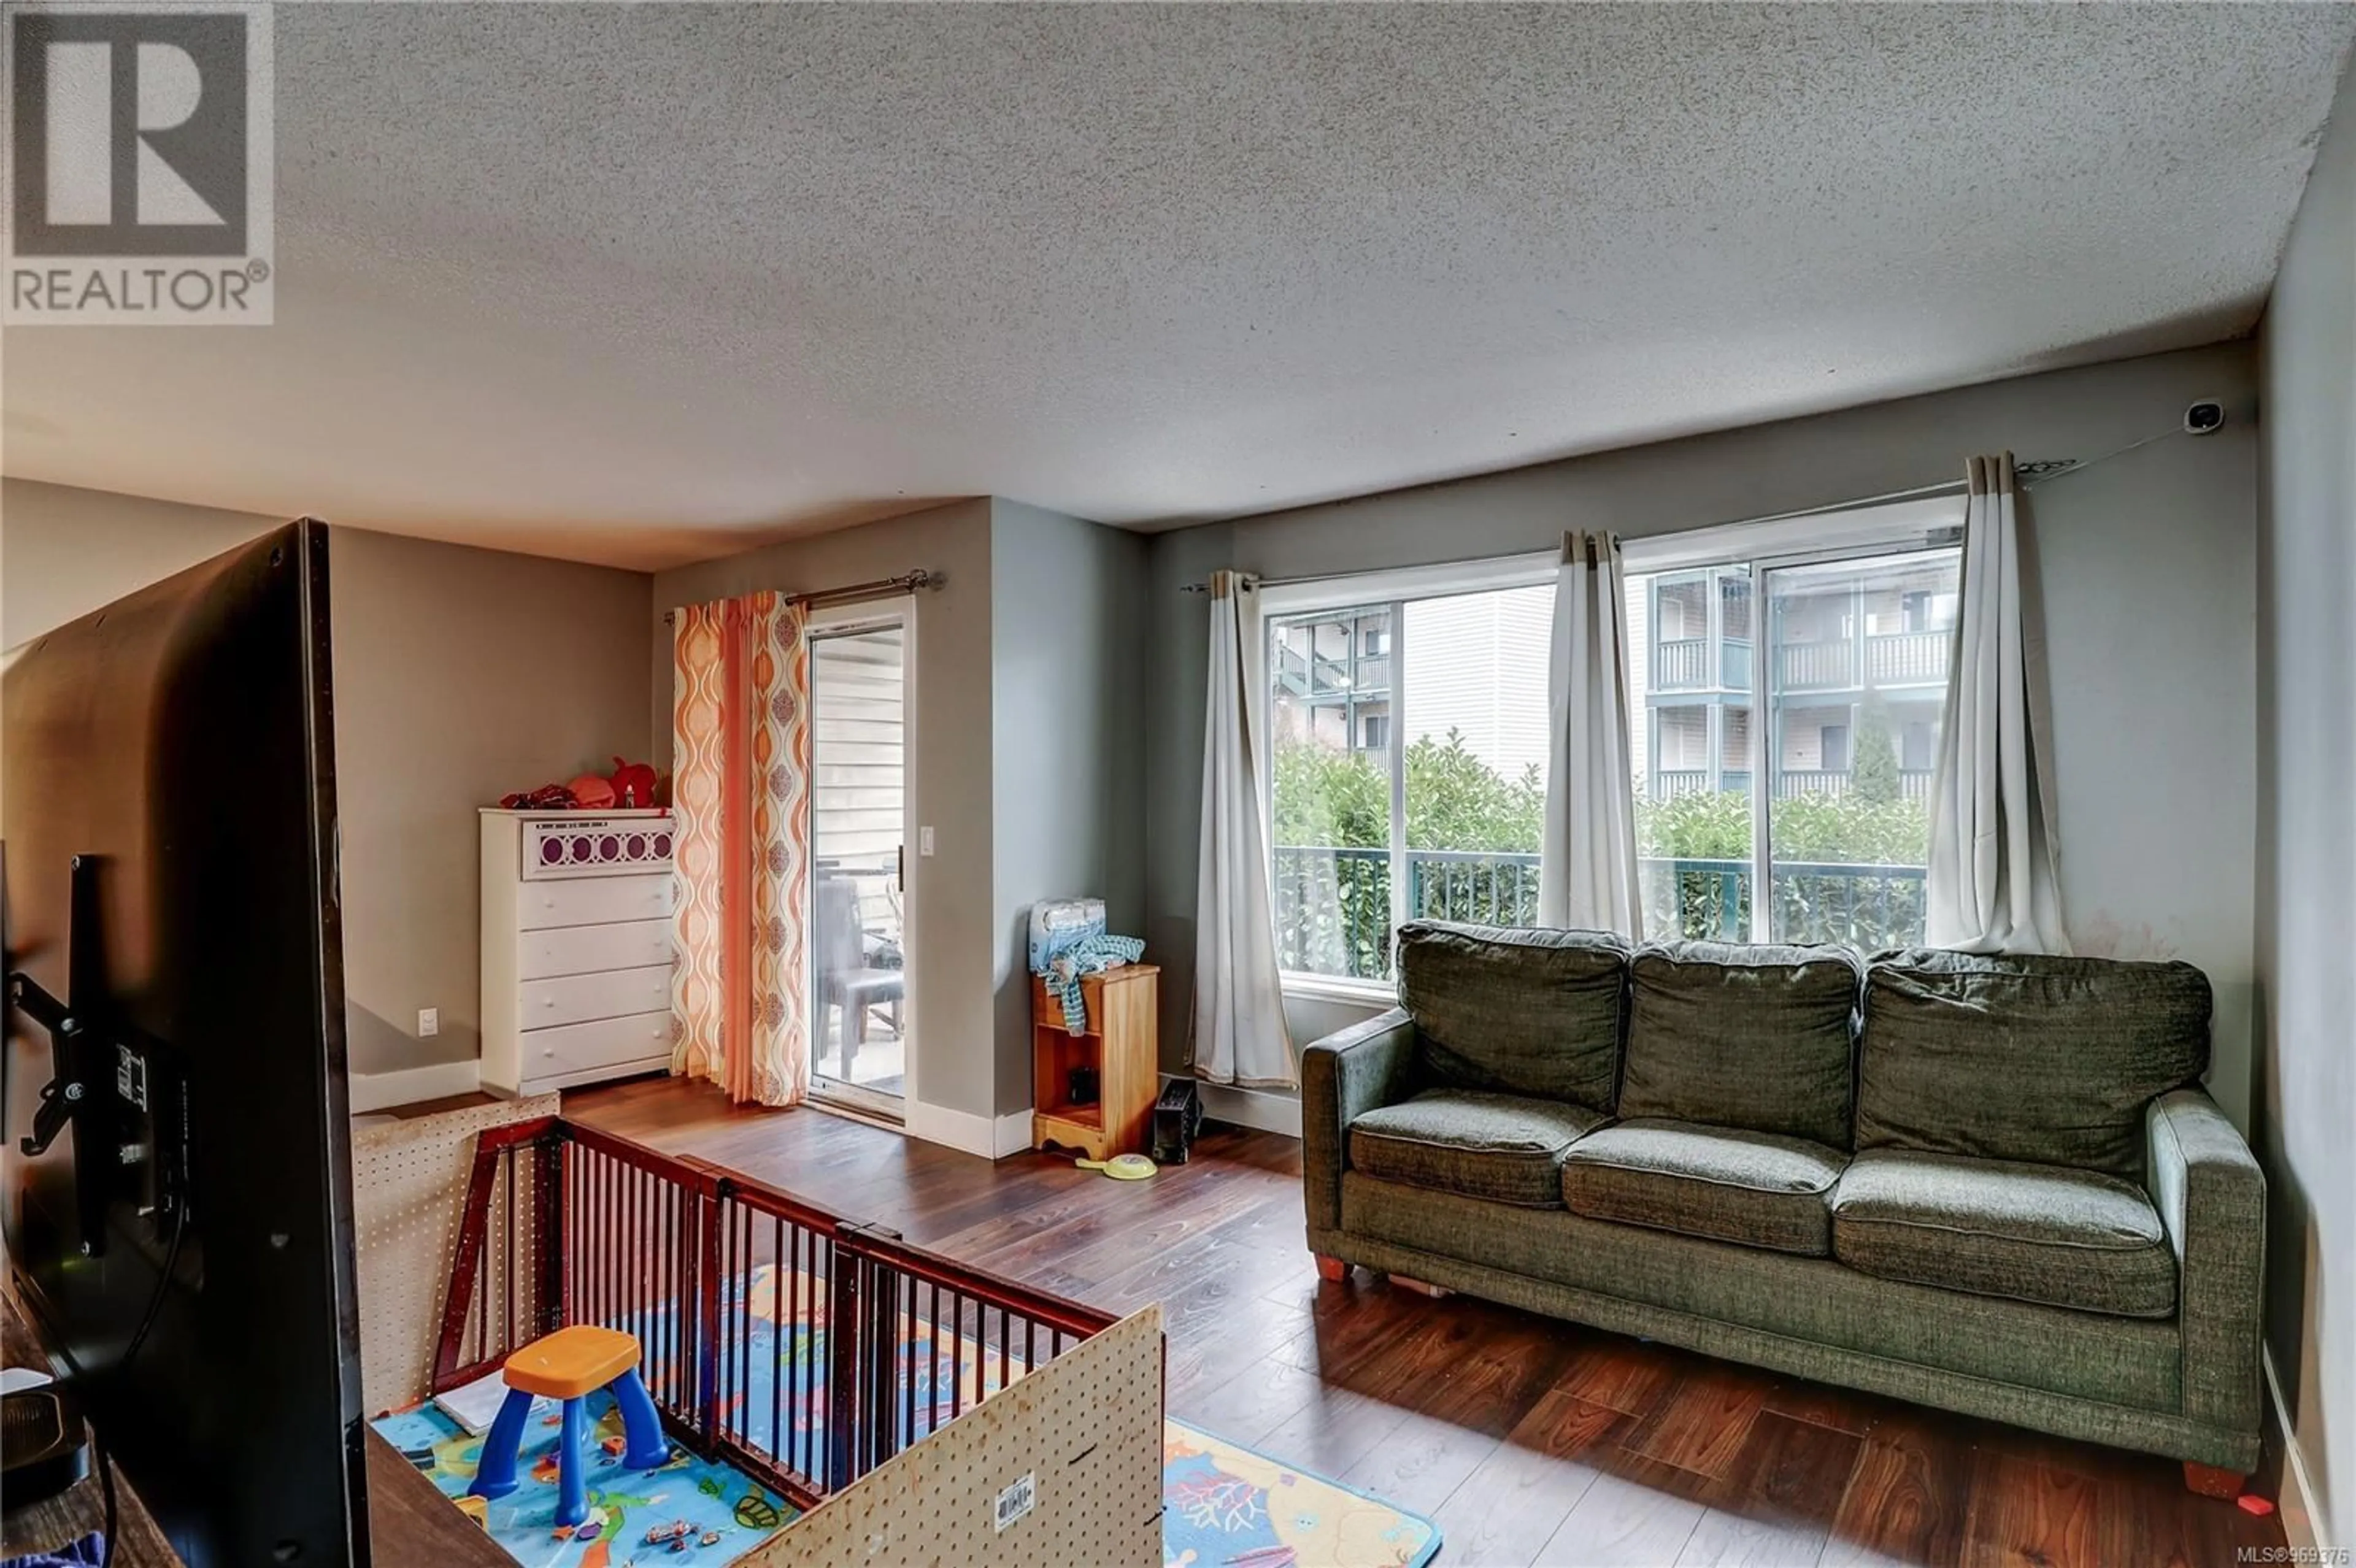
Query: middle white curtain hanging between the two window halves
[[1587, 849]]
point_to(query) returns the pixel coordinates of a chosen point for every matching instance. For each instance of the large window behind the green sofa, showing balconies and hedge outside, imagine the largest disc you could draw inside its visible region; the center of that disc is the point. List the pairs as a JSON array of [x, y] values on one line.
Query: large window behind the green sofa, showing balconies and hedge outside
[[1785, 719]]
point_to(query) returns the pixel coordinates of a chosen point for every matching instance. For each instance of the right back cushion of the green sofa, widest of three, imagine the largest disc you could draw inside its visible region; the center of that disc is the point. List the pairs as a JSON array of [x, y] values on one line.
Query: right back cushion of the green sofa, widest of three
[[2025, 1058]]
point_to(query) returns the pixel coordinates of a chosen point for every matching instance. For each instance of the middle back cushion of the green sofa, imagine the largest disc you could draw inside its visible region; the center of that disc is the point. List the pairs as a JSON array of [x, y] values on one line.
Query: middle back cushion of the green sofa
[[1745, 1037]]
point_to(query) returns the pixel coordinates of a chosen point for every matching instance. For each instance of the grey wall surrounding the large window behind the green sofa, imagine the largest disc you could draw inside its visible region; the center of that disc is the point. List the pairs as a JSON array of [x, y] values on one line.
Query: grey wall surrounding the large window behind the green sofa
[[2150, 602]]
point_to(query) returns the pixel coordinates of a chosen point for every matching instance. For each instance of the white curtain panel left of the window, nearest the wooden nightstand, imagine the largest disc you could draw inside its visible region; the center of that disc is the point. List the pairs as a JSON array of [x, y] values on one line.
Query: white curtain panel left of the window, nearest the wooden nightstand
[[1238, 997]]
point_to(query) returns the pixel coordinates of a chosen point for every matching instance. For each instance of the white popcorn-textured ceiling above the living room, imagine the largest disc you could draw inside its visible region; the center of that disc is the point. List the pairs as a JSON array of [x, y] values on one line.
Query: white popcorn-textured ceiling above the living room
[[656, 284]]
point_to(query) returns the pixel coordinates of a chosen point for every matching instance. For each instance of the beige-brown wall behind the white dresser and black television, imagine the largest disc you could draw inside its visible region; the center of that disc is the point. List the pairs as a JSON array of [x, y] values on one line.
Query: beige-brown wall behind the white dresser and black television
[[458, 675]]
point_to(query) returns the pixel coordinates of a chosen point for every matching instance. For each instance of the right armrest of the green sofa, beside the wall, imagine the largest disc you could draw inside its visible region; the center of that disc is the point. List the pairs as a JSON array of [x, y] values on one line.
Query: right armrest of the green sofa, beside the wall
[[2213, 1202]]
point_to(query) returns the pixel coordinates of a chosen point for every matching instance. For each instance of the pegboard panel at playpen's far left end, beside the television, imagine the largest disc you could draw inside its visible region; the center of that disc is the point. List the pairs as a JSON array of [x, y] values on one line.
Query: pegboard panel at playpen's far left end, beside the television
[[409, 1185]]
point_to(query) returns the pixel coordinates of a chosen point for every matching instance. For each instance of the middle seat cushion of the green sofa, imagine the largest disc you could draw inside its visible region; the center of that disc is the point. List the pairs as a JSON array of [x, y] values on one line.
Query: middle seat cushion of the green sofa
[[1723, 1183]]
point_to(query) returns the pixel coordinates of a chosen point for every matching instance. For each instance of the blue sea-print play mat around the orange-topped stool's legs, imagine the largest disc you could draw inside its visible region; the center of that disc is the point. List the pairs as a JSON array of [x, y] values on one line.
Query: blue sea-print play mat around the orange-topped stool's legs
[[633, 1513]]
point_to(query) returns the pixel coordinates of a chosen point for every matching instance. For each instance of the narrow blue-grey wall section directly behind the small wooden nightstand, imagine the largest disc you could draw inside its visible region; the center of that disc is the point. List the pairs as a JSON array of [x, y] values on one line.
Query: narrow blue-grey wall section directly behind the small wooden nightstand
[[1068, 717]]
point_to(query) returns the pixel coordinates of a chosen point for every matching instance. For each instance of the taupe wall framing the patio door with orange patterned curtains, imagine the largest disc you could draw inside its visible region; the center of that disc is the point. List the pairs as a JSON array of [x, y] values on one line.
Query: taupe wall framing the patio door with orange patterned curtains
[[953, 901]]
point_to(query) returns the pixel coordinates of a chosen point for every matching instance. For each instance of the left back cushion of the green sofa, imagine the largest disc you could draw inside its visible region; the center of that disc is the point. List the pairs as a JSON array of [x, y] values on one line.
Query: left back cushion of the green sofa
[[1516, 1011]]
